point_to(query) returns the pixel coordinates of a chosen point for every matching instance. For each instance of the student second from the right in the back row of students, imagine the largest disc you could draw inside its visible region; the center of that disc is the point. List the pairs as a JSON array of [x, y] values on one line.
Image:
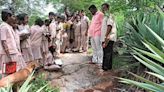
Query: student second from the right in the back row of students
[[77, 34]]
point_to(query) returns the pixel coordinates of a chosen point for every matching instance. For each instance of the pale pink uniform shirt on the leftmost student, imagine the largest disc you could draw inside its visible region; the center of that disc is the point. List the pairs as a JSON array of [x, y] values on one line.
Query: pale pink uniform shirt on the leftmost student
[[7, 34]]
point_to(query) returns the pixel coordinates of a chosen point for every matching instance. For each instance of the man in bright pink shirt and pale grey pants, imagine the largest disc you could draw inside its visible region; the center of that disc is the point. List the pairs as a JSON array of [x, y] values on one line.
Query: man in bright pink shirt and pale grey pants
[[95, 34]]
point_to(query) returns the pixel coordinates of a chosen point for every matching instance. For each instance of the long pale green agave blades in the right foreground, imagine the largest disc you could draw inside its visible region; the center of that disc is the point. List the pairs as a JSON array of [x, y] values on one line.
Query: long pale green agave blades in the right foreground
[[152, 58]]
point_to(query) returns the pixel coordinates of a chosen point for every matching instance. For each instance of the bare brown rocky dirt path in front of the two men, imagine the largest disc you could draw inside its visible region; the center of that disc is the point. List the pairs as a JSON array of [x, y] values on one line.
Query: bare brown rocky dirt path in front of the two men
[[79, 76]]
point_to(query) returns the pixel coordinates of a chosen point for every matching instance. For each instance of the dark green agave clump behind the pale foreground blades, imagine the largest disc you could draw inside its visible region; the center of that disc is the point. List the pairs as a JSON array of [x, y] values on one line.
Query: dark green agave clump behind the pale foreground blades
[[137, 31]]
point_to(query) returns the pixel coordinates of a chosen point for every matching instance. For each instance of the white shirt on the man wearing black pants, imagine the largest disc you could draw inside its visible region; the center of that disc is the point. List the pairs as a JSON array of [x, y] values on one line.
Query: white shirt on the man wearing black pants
[[109, 21]]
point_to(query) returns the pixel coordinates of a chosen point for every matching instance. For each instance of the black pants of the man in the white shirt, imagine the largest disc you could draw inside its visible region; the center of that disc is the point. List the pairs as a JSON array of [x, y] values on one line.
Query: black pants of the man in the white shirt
[[107, 56]]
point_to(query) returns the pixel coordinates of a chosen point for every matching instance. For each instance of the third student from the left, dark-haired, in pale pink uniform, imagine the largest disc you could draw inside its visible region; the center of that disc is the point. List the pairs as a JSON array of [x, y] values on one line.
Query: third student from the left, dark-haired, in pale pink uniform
[[36, 39]]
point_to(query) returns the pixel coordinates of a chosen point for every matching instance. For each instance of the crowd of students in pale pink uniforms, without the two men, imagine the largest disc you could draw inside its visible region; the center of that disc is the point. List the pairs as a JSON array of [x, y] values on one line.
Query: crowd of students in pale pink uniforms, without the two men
[[41, 42]]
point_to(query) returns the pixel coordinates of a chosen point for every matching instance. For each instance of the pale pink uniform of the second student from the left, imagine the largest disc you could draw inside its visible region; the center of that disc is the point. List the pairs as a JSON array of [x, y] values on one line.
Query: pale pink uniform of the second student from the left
[[25, 44]]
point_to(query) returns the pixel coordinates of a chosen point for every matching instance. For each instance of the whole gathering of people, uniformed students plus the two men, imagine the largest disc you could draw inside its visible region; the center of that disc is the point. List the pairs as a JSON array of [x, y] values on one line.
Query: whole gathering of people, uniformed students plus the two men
[[46, 39]]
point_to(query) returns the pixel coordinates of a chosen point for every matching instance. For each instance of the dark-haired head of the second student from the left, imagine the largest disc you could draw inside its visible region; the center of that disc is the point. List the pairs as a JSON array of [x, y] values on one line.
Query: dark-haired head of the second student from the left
[[23, 18]]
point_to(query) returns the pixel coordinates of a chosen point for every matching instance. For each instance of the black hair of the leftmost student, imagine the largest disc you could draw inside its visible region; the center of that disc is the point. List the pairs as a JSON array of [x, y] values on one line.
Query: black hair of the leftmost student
[[5, 14]]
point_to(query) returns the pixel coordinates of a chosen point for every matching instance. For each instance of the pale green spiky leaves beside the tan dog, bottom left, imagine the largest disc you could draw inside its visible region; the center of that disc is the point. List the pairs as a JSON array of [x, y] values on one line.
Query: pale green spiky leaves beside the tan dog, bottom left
[[24, 88]]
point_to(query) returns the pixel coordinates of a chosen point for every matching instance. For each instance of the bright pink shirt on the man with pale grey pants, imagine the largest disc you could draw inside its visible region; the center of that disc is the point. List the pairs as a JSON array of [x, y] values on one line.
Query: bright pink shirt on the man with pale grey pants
[[96, 23]]
